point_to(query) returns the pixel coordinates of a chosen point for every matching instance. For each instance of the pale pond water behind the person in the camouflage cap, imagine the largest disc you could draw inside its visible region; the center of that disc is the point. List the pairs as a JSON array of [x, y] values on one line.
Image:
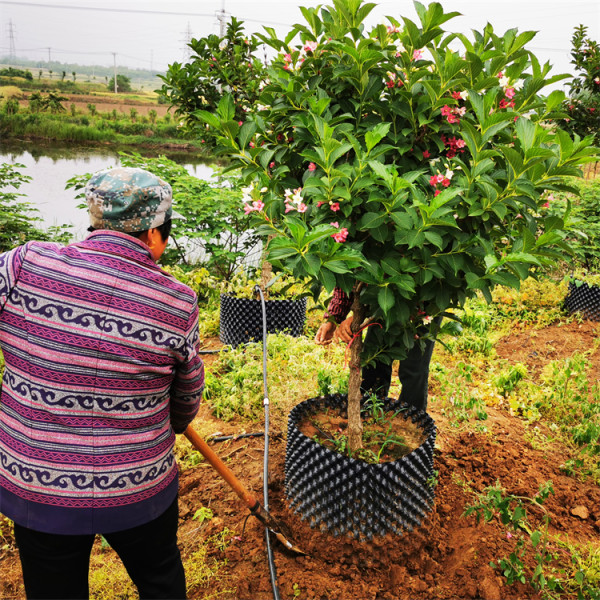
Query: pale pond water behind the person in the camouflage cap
[[51, 167]]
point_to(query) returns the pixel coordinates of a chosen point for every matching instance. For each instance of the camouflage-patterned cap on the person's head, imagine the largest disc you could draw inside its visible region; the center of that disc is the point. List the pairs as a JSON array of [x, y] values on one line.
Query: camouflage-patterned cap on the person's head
[[128, 199]]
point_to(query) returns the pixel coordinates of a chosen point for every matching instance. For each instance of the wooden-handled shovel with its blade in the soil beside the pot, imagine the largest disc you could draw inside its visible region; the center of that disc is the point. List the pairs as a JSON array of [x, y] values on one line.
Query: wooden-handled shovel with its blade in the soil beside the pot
[[264, 516]]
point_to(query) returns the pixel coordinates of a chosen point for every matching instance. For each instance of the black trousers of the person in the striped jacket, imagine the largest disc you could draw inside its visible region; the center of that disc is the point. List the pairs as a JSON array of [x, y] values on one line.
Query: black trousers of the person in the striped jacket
[[57, 566]]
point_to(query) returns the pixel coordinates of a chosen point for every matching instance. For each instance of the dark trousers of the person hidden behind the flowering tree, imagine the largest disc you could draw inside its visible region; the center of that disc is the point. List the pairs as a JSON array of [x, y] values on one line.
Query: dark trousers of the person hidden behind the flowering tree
[[413, 373]]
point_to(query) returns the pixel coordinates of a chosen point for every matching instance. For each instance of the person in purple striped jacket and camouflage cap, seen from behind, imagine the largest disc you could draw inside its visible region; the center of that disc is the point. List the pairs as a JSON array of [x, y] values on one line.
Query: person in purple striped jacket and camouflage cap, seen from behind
[[101, 371]]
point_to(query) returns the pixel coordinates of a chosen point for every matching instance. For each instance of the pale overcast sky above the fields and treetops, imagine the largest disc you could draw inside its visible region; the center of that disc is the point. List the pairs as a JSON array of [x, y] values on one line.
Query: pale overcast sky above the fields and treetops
[[153, 33]]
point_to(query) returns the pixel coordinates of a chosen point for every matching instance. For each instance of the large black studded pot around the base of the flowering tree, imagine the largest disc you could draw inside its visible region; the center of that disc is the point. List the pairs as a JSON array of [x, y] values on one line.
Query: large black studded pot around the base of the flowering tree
[[348, 496]]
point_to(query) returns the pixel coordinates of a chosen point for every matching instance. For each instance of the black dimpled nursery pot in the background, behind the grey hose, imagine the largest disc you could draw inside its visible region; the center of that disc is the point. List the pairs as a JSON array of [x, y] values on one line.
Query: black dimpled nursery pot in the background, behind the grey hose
[[241, 319]]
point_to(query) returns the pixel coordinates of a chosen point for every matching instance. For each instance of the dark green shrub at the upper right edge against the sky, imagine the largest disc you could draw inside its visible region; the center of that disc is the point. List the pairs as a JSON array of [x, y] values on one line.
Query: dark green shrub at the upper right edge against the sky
[[582, 108]]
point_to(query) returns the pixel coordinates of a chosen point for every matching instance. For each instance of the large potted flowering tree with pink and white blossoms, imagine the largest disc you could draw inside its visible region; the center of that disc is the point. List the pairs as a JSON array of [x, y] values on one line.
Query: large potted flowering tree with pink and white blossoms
[[408, 173]]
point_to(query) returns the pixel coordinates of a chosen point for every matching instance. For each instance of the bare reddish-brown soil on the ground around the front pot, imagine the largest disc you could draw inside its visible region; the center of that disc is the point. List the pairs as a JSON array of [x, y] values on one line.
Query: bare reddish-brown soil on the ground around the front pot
[[446, 558]]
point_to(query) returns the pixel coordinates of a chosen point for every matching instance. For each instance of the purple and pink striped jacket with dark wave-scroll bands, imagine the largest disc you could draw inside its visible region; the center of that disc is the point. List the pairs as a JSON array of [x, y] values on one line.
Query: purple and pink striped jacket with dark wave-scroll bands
[[102, 369]]
